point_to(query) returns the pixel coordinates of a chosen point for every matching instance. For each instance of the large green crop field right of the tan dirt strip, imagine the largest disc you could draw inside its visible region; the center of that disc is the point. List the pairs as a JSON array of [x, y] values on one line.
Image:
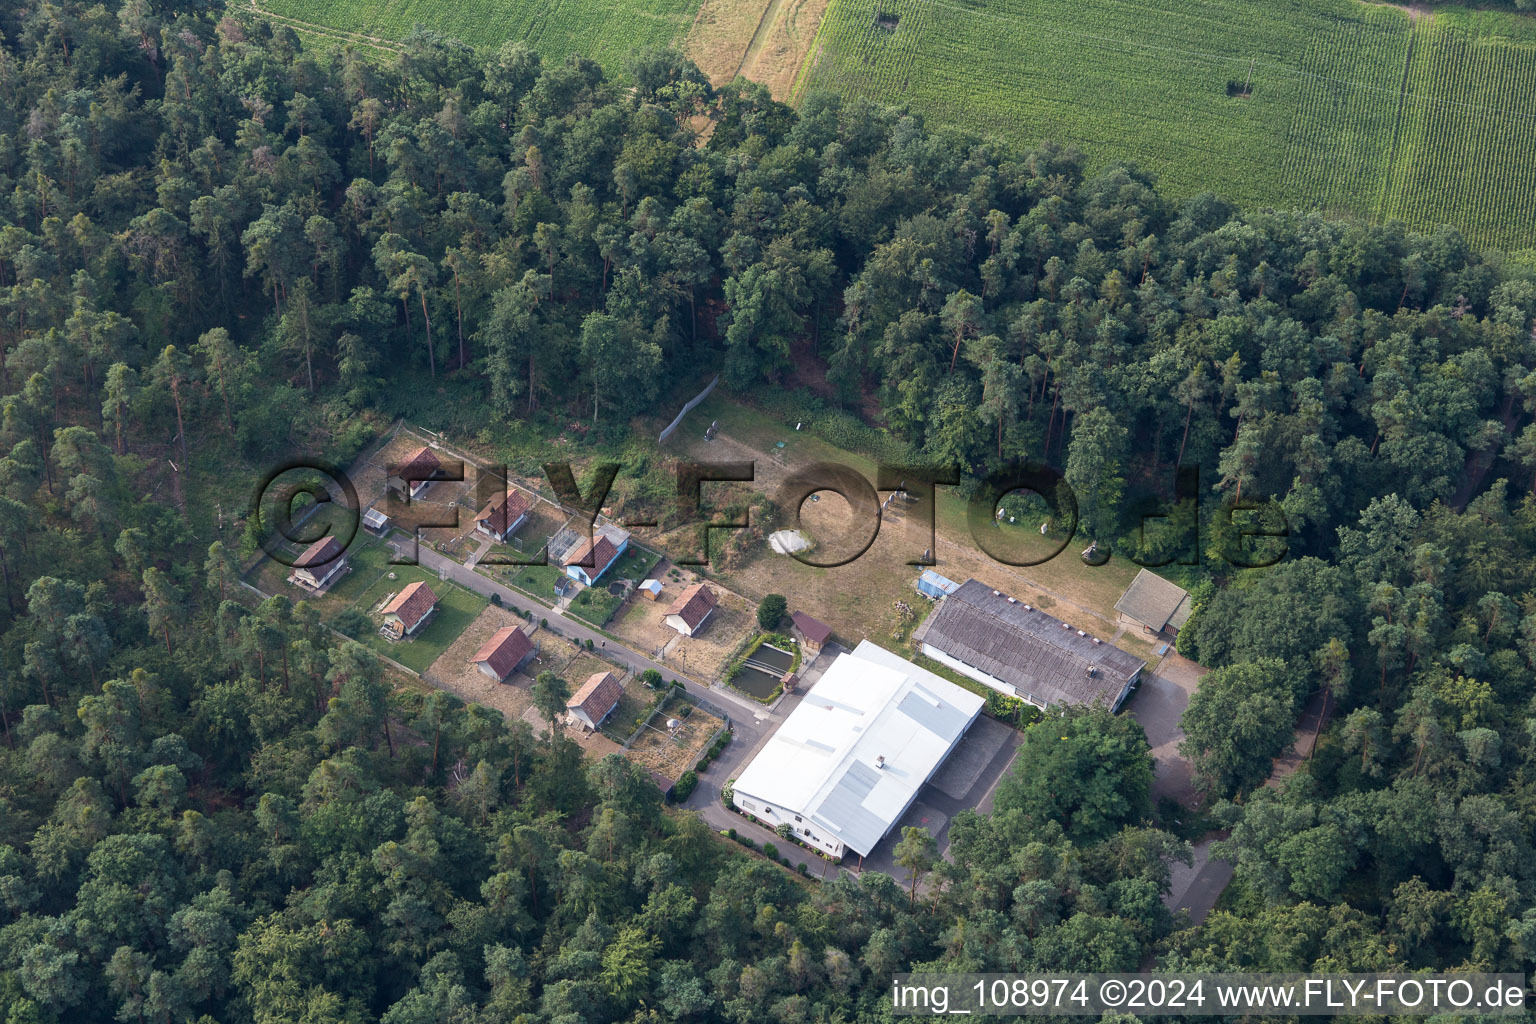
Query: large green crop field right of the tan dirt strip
[[1337, 105]]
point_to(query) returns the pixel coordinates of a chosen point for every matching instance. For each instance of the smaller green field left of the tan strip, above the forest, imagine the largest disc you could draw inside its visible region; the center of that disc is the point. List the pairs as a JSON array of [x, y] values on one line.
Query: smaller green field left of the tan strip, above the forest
[[604, 30]]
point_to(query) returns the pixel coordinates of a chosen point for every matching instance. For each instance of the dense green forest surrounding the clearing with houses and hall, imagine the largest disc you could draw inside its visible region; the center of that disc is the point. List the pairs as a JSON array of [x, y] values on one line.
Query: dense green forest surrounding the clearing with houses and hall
[[220, 249]]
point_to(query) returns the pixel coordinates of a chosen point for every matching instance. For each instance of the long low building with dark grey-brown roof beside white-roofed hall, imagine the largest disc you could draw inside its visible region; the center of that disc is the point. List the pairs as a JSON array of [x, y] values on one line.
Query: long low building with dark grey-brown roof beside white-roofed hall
[[1025, 653]]
